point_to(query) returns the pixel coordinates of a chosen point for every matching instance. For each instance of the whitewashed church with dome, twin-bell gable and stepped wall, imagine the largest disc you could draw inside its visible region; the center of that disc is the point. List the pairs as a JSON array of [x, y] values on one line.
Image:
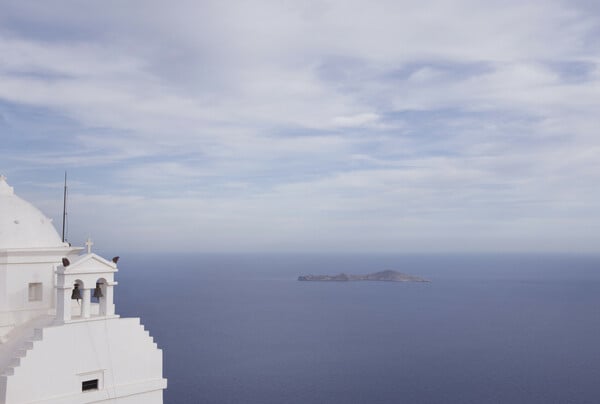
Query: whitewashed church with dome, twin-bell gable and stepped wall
[[60, 339]]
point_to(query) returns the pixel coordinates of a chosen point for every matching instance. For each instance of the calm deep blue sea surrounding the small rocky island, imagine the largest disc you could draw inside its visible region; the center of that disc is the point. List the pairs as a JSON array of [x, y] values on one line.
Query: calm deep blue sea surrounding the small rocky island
[[487, 329]]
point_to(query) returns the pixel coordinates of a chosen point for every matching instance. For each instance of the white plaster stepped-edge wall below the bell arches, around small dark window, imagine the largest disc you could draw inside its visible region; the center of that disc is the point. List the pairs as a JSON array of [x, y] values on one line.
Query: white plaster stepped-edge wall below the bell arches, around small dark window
[[118, 349]]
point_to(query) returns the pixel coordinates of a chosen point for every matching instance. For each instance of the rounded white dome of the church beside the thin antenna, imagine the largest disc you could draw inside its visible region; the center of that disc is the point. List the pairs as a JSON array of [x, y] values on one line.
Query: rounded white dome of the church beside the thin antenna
[[22, 225]]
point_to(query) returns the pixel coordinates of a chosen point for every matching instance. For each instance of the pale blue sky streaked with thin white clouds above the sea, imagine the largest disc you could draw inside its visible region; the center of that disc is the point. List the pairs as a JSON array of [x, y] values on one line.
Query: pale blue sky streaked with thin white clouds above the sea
[[313, 125]]
